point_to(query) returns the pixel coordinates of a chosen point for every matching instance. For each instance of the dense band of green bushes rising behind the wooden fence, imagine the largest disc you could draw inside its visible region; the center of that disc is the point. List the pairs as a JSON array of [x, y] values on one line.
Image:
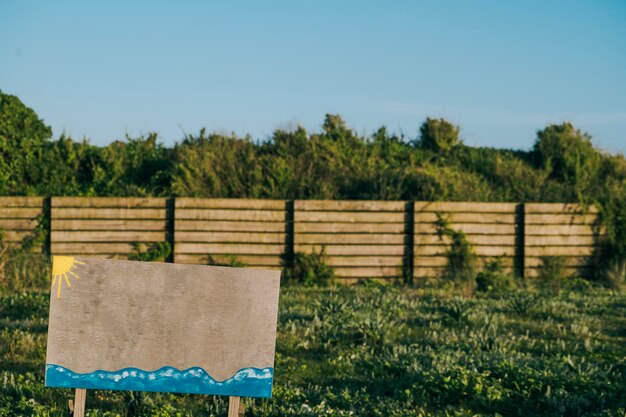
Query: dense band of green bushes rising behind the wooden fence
[[335, 163]]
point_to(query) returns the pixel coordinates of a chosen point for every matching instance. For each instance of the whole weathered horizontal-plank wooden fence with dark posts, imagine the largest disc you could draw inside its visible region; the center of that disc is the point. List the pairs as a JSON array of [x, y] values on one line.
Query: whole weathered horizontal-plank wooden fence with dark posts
[[360, 239]]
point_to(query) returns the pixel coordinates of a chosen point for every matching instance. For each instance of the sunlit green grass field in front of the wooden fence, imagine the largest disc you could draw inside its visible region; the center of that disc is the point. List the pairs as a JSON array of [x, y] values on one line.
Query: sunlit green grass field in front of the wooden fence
[[381, 351]]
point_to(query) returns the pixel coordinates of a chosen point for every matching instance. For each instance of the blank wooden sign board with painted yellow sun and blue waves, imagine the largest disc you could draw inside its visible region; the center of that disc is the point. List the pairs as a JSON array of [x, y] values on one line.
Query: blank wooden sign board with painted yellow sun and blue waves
[[146, 326]]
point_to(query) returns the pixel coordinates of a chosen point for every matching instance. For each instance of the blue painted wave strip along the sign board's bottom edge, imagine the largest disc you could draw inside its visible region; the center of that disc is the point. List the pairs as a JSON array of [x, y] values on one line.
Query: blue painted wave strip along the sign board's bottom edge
[[247, 382]]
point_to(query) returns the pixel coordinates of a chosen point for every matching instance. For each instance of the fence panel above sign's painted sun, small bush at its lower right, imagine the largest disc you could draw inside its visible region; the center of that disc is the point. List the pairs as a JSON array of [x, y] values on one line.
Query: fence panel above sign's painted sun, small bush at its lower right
[[106, 226]]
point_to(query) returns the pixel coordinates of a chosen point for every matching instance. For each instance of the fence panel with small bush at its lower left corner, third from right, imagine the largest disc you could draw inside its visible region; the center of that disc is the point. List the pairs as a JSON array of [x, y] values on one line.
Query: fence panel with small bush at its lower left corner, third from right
[[361, 239]]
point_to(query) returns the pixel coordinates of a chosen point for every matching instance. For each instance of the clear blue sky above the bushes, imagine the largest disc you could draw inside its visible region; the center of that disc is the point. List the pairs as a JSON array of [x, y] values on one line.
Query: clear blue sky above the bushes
[[500, 69]]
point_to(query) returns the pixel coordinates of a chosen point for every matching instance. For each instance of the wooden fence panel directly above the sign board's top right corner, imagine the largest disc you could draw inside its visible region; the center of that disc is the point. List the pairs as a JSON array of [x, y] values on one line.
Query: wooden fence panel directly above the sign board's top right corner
[[231, 231]]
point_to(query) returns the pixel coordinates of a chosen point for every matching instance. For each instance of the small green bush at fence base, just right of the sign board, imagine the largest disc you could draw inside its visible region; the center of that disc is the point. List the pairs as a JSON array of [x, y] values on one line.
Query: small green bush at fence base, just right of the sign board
[[310, 269]]
